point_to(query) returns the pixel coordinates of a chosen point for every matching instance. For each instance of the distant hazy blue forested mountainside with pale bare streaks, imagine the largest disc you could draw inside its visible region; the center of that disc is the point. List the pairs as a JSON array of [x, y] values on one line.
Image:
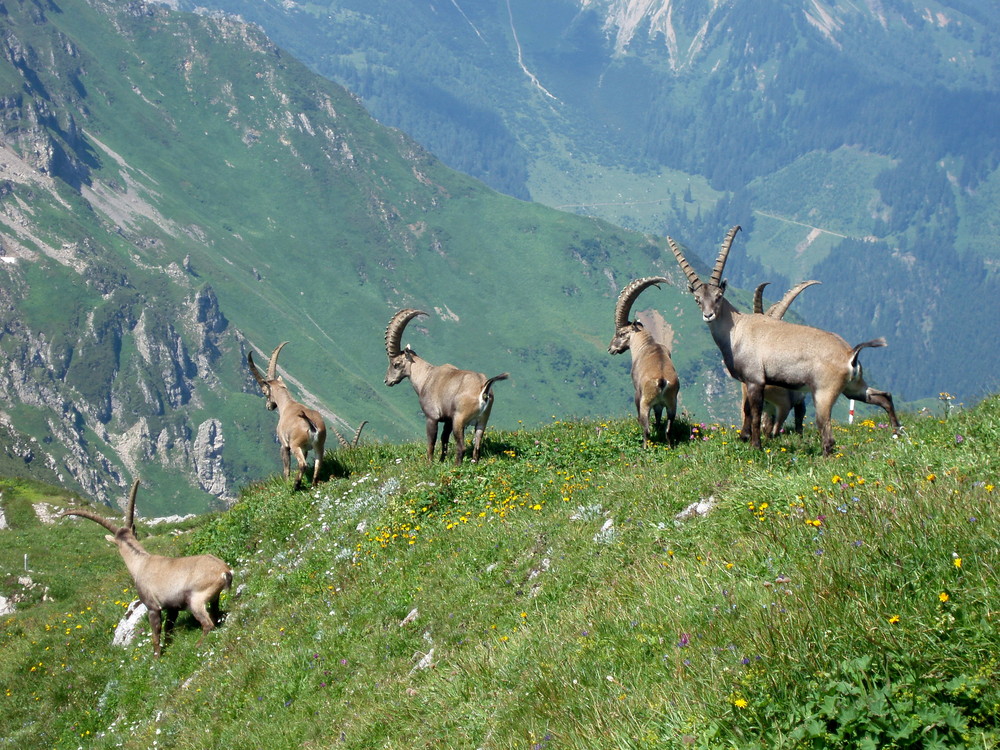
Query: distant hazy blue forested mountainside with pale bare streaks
[[854, 142]]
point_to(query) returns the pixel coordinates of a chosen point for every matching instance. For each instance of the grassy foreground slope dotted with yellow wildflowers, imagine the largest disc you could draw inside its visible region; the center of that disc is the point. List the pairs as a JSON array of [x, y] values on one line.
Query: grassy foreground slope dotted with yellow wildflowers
[[549, 597]]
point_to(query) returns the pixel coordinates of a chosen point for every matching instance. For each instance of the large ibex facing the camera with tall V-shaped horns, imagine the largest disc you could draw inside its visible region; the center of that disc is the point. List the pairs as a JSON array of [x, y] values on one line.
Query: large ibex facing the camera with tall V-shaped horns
[[760, 350]]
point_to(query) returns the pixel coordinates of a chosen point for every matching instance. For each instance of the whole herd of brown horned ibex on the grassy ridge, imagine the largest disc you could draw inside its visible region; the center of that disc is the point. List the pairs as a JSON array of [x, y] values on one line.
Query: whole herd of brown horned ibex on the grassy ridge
[[776, 362]]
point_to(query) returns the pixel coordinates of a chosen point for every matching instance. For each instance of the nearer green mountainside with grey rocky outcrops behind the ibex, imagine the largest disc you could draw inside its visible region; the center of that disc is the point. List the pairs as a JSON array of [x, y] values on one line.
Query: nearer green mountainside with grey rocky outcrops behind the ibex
[[176, 191]]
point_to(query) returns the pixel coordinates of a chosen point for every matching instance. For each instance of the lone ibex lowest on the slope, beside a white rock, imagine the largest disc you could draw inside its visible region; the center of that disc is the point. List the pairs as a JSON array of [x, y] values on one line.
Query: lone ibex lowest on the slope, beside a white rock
[[166, 584]]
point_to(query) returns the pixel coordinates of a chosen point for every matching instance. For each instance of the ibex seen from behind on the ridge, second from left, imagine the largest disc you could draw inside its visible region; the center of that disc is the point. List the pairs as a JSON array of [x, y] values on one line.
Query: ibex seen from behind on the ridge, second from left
[[299, 428]]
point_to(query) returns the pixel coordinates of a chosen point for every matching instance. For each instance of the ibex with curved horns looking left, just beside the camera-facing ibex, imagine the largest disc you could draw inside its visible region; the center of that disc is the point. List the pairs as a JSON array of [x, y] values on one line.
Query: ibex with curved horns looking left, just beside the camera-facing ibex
[[653, 374]]
